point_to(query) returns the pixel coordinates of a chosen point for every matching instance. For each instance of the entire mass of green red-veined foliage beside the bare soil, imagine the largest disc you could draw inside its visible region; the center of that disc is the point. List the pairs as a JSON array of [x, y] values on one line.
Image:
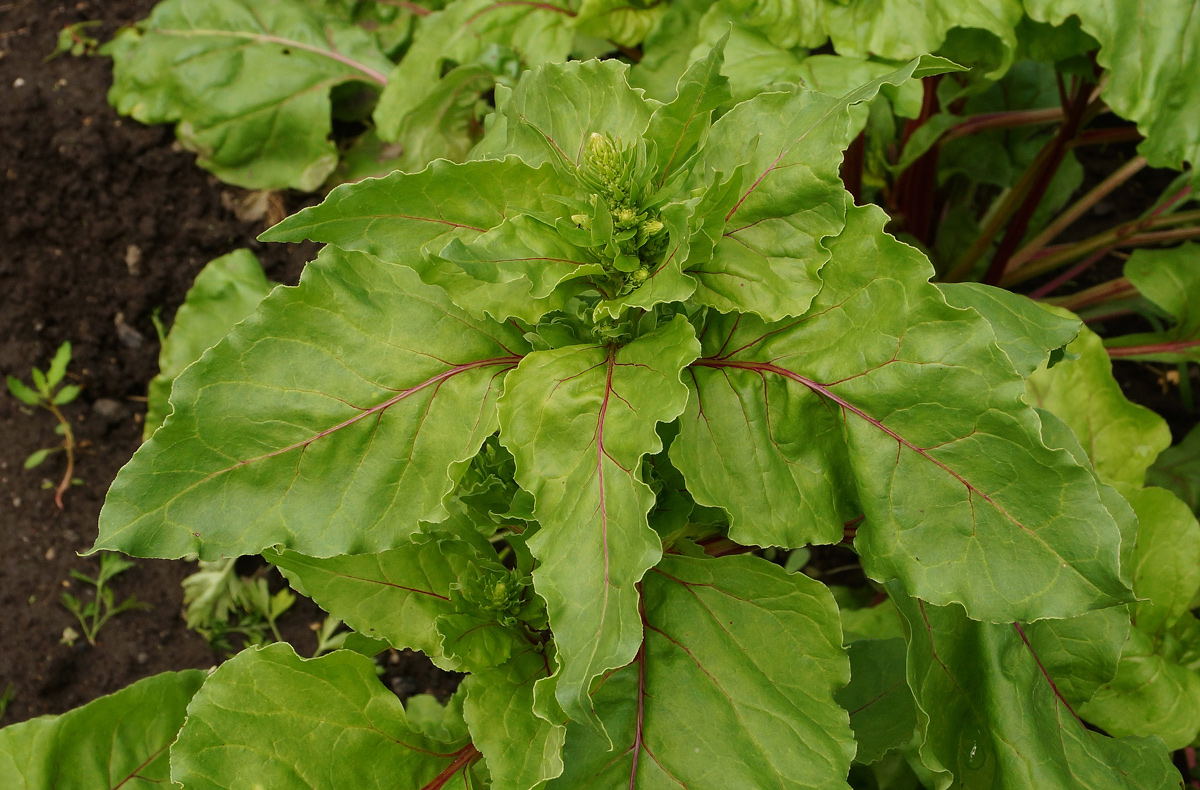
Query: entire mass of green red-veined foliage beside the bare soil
[[560, 385]]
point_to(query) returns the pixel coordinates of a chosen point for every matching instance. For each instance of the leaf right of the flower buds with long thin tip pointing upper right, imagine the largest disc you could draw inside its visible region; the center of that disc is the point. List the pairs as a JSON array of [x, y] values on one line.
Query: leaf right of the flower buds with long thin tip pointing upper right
[[791, 197]]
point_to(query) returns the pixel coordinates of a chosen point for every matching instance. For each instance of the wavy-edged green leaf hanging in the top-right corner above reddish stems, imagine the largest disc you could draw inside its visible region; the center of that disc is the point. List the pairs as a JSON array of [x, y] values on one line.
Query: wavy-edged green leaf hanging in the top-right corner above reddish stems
[[1153, 65]]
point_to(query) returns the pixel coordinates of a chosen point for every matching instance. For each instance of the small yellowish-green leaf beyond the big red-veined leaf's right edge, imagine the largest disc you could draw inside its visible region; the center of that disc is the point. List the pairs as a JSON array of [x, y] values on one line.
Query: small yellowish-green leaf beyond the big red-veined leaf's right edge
[[1123, 439]]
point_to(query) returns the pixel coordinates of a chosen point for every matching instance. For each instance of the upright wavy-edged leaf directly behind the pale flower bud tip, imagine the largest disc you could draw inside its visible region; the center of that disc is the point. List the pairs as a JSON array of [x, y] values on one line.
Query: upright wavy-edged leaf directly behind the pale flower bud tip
[[555, 109]]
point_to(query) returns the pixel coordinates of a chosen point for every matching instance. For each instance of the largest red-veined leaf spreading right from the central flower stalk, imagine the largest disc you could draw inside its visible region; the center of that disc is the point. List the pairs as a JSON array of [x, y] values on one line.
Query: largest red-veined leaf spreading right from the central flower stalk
[[925, 421]]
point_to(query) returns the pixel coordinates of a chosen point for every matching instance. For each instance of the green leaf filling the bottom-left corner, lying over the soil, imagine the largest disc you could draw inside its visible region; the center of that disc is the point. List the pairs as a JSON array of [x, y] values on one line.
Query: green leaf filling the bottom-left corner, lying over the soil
[[107, 744]]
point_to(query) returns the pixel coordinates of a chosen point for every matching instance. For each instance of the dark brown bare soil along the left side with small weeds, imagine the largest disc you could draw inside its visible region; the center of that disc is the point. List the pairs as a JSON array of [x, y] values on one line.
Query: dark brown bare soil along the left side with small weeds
[[80, 189]]
